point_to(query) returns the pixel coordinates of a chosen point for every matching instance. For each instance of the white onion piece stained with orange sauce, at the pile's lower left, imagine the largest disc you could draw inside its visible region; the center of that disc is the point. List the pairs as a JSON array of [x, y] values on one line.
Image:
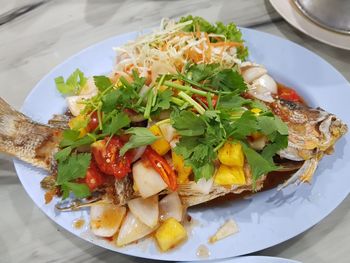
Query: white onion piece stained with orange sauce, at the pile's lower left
[[105, 219]]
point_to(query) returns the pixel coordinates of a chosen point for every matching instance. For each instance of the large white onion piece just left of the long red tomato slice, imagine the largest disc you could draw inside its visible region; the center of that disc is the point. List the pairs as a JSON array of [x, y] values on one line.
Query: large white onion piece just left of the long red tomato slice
[[147, 180]]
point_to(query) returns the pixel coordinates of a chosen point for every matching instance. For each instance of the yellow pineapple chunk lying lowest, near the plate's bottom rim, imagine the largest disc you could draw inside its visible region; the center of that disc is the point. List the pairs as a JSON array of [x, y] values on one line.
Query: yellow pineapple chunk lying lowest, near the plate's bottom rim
[[170, 234]]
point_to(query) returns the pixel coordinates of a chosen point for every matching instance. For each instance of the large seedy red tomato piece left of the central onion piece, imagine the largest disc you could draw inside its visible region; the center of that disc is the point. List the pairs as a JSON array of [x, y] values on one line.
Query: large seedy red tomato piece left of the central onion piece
[[108, 159]]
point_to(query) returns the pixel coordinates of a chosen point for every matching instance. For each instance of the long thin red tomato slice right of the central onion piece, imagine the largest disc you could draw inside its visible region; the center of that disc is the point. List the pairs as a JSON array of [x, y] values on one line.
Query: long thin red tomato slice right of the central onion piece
[[162, 167]]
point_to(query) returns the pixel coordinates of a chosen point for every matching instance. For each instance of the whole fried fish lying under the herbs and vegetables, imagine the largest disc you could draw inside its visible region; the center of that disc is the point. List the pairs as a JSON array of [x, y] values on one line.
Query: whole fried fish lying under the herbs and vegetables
[[312, 133]]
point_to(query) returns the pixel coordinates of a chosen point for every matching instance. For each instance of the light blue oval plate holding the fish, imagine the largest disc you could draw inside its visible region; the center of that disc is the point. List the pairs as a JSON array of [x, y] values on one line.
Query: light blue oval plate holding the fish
[[265, 219]]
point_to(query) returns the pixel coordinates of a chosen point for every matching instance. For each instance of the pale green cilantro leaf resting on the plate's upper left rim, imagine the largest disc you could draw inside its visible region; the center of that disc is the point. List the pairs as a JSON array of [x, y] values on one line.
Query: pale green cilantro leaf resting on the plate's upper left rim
[[73, 84]]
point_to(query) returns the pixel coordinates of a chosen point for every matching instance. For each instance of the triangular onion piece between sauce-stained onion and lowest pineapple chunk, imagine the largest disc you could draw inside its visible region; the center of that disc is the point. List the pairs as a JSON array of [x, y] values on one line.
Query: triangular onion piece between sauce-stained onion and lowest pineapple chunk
[[131, 230]]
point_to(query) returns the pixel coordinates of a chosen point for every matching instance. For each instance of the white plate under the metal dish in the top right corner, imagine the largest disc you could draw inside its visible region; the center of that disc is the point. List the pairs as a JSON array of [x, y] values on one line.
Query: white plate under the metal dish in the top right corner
[[288, 10]]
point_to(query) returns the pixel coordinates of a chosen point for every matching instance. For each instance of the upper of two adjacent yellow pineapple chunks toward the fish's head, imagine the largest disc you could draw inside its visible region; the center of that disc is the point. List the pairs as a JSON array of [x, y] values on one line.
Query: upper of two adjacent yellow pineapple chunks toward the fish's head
[[231, 154]]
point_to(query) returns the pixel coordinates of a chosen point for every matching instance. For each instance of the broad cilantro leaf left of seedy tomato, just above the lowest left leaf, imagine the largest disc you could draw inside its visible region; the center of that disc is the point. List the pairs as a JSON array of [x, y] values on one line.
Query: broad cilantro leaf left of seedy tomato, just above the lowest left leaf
[[73, 167]]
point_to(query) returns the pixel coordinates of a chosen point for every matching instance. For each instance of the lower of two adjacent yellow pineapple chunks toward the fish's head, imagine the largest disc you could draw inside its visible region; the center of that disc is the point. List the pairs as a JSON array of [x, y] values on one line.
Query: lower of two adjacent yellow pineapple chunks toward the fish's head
[[229, 175]]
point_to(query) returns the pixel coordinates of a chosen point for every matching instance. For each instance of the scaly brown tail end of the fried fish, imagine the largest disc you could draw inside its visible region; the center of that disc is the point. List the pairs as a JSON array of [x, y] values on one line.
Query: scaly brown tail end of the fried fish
[[27, 140]]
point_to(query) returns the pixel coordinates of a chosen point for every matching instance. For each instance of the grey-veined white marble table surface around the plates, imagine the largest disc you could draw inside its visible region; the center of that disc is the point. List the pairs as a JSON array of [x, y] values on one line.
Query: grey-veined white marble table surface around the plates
[[36, 35]]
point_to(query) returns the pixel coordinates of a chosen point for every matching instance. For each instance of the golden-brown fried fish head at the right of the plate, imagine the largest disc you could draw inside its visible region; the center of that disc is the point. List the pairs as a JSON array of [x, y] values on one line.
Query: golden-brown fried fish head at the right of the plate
[[312, 132]]
